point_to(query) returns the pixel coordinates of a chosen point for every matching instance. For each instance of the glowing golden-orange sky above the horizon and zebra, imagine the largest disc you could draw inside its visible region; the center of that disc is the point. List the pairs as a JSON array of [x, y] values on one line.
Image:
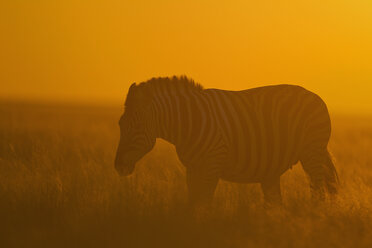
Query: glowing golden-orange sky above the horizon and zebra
[[90, 50]]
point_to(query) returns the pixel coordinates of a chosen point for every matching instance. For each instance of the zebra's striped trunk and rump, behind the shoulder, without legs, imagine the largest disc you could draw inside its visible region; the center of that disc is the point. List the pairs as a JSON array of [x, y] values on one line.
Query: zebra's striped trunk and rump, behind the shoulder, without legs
[[267, 129]]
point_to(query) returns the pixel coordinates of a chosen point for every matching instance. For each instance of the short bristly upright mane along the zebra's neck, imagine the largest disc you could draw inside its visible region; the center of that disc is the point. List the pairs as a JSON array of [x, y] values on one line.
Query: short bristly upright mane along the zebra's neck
[[160, 84]]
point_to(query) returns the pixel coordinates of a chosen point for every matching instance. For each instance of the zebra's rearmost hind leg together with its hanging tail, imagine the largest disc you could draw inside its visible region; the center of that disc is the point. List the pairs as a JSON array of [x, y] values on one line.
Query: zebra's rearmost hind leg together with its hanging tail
[[319, 167]]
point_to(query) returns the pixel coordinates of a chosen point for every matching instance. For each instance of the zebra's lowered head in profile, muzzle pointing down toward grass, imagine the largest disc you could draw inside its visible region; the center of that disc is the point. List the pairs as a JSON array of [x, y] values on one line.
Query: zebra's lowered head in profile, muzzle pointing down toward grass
[[137, 135]]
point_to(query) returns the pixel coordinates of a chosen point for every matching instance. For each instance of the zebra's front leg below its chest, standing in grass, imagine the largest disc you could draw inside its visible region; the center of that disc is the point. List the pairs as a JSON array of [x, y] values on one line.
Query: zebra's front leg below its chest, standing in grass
[[201, 187]]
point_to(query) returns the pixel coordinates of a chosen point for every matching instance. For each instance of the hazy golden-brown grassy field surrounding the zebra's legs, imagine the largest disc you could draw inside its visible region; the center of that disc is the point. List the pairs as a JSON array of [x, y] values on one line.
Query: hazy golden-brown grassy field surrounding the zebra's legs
[[58, 188]]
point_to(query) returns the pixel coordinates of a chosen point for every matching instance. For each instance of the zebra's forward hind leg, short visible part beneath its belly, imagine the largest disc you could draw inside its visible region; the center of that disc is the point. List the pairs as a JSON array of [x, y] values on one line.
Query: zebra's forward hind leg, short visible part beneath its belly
[[272, 192]]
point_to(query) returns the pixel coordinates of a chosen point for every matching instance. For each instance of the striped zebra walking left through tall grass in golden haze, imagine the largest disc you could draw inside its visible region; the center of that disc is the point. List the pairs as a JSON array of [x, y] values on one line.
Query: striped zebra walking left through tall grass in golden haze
[[248, 136]]
